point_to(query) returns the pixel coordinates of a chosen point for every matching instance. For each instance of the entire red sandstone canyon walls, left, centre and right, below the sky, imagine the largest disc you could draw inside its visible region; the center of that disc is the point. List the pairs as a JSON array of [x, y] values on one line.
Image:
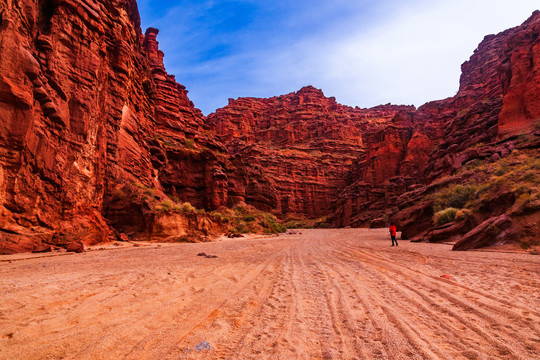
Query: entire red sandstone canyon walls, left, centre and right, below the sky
[[98, 141]]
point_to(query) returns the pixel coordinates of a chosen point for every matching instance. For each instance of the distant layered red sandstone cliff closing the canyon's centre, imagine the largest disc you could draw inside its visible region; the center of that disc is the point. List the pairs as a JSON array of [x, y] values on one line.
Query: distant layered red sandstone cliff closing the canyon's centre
[[307, 145]]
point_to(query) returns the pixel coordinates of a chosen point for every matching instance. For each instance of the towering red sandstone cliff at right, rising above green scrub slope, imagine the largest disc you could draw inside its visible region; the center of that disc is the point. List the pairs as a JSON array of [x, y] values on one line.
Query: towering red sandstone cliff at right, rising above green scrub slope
[[492, 116]]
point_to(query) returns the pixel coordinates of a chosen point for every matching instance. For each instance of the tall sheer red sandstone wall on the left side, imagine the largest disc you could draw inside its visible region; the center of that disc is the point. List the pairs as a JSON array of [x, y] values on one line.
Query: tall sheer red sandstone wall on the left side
[[83, 95]]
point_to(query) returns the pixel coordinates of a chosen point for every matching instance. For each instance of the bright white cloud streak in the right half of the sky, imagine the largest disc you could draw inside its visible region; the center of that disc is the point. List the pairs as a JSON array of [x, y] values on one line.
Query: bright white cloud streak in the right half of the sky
[[411, 58]]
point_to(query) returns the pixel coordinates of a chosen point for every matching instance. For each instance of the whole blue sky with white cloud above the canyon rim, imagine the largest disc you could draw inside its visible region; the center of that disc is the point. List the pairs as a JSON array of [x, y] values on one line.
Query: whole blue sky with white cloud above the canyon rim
[[363, 52]]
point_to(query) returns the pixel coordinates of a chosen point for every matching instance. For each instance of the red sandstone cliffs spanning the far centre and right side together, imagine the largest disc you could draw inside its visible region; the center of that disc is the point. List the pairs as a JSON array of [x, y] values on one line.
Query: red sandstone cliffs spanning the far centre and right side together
[[385, 162]]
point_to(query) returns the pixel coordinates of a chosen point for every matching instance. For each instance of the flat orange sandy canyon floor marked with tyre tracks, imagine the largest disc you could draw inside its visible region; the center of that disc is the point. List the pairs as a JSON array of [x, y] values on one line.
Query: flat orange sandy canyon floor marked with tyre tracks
[[321, 294]]
